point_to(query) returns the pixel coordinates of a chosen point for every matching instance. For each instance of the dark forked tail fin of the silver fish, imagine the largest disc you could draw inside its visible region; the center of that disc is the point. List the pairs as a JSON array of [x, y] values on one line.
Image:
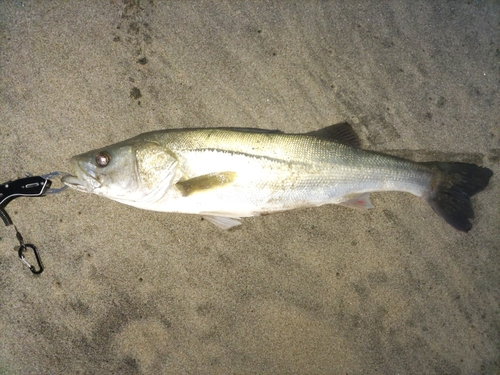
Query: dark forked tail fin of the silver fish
[[451, 189]]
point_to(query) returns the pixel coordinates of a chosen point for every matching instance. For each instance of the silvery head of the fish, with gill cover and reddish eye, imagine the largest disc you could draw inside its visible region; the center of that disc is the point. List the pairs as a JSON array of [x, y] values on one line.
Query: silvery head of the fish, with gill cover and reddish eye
[[127, 171]]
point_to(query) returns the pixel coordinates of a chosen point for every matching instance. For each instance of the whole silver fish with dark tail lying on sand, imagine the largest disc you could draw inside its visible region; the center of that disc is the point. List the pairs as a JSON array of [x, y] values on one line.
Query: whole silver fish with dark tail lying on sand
[[225, 174]]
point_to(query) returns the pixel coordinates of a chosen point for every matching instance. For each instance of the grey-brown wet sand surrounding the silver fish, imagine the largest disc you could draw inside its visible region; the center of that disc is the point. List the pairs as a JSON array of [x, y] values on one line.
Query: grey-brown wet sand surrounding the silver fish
[[313, 291]]
